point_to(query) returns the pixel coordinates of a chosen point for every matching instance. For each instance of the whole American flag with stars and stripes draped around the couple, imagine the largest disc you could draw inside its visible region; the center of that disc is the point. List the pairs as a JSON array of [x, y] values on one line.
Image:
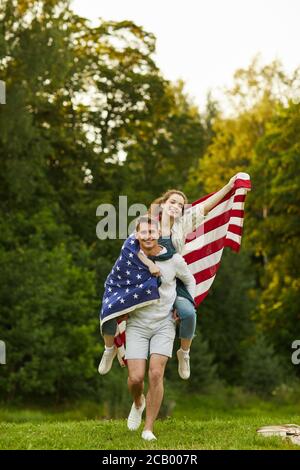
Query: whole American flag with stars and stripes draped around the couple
[[130, 284]]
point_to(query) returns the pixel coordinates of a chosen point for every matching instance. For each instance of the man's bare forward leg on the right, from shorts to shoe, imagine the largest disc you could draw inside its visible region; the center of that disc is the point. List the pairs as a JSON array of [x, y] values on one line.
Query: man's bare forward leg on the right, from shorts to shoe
[[156, 388]]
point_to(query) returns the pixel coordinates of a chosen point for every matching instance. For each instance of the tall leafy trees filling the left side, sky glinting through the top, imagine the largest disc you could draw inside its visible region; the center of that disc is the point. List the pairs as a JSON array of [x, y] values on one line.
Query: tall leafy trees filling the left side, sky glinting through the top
[[88, 117]]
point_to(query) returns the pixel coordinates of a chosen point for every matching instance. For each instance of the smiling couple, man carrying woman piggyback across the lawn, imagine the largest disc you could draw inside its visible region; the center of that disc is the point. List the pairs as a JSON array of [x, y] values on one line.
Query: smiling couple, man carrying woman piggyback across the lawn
[[150, 328]]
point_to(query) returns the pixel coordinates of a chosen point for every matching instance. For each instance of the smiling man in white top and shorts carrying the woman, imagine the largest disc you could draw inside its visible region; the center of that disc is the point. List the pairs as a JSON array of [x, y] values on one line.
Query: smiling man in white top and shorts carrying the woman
[[150, 330]]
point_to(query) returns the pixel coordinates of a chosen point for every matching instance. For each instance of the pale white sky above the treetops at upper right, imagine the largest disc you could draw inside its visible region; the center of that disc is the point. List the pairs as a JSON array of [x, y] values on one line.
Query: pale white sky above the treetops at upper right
[[204, 42]]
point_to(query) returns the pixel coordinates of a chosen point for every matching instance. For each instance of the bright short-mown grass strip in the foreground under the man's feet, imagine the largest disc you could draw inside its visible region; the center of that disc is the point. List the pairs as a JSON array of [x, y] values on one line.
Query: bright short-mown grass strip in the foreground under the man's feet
[[172, 433]]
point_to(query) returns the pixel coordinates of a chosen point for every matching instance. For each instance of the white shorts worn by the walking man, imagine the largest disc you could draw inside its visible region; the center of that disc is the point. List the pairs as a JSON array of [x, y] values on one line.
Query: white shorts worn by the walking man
[[142, 341]]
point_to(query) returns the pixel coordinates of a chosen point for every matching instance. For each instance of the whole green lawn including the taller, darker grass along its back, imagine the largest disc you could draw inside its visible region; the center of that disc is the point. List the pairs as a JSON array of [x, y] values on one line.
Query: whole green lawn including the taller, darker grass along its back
[[202, 422]]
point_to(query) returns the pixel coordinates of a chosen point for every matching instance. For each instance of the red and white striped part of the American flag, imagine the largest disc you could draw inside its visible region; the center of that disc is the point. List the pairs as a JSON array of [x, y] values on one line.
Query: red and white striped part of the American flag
[[204, 247]]
